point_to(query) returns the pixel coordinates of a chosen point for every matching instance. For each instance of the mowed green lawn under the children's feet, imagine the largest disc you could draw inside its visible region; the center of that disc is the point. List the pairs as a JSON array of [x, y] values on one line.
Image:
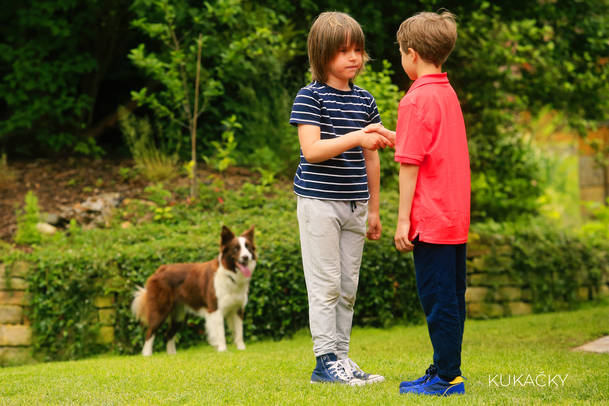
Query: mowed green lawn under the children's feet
[[277, 373]]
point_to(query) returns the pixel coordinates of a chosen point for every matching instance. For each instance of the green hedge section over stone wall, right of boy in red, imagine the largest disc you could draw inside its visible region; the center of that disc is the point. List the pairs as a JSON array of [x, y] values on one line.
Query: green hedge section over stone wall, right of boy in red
[[550, 261]]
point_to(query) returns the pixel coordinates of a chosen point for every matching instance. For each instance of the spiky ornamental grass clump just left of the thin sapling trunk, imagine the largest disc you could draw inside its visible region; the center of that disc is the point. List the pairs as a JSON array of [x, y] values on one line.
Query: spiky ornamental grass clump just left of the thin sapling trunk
[[154, 163]]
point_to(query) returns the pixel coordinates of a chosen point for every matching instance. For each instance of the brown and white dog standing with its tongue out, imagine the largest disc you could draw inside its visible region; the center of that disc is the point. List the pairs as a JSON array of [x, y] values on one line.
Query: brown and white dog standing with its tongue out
[[216, 290]]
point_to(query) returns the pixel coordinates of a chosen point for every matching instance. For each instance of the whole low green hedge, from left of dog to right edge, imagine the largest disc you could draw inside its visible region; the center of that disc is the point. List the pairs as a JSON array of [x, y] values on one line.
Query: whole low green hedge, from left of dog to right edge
[[69, 271]]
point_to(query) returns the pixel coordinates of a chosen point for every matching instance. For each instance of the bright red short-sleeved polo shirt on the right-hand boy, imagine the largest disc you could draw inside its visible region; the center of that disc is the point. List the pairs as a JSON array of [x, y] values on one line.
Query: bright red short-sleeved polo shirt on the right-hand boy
[[431, 133]]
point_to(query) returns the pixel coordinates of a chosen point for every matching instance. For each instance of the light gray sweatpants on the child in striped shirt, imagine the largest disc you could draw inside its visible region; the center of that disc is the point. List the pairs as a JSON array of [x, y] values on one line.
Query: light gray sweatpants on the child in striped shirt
[[332, 235]]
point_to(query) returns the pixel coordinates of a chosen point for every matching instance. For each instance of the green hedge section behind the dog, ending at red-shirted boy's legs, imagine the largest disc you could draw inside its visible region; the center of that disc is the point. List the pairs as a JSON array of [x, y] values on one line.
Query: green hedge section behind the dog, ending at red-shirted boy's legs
[[71, 270]]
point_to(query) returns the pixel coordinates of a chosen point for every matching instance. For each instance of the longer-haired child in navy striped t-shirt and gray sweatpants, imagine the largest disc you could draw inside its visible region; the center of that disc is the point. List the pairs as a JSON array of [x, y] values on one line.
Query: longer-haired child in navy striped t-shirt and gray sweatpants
[[337, 184]]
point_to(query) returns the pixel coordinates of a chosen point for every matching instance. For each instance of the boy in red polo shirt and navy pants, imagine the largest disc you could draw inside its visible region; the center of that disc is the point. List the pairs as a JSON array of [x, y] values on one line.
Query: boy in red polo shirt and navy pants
[[434, 212]]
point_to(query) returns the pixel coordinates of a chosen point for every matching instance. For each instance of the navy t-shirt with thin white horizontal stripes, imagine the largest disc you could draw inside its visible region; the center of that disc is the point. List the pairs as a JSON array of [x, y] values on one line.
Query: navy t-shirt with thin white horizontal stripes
[[336, 112]]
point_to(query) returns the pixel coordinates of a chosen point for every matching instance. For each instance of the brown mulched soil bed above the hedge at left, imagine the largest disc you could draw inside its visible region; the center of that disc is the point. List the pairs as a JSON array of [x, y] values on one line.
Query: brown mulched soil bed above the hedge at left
[[59, 184]]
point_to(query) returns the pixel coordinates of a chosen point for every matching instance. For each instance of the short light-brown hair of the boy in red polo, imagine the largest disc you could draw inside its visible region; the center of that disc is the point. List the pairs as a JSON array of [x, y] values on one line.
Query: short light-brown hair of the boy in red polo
[[432, 35]]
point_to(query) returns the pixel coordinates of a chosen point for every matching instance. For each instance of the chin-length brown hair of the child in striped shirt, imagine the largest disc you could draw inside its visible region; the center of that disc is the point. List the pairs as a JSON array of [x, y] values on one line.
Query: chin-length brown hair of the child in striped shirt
[[331, 32]]
